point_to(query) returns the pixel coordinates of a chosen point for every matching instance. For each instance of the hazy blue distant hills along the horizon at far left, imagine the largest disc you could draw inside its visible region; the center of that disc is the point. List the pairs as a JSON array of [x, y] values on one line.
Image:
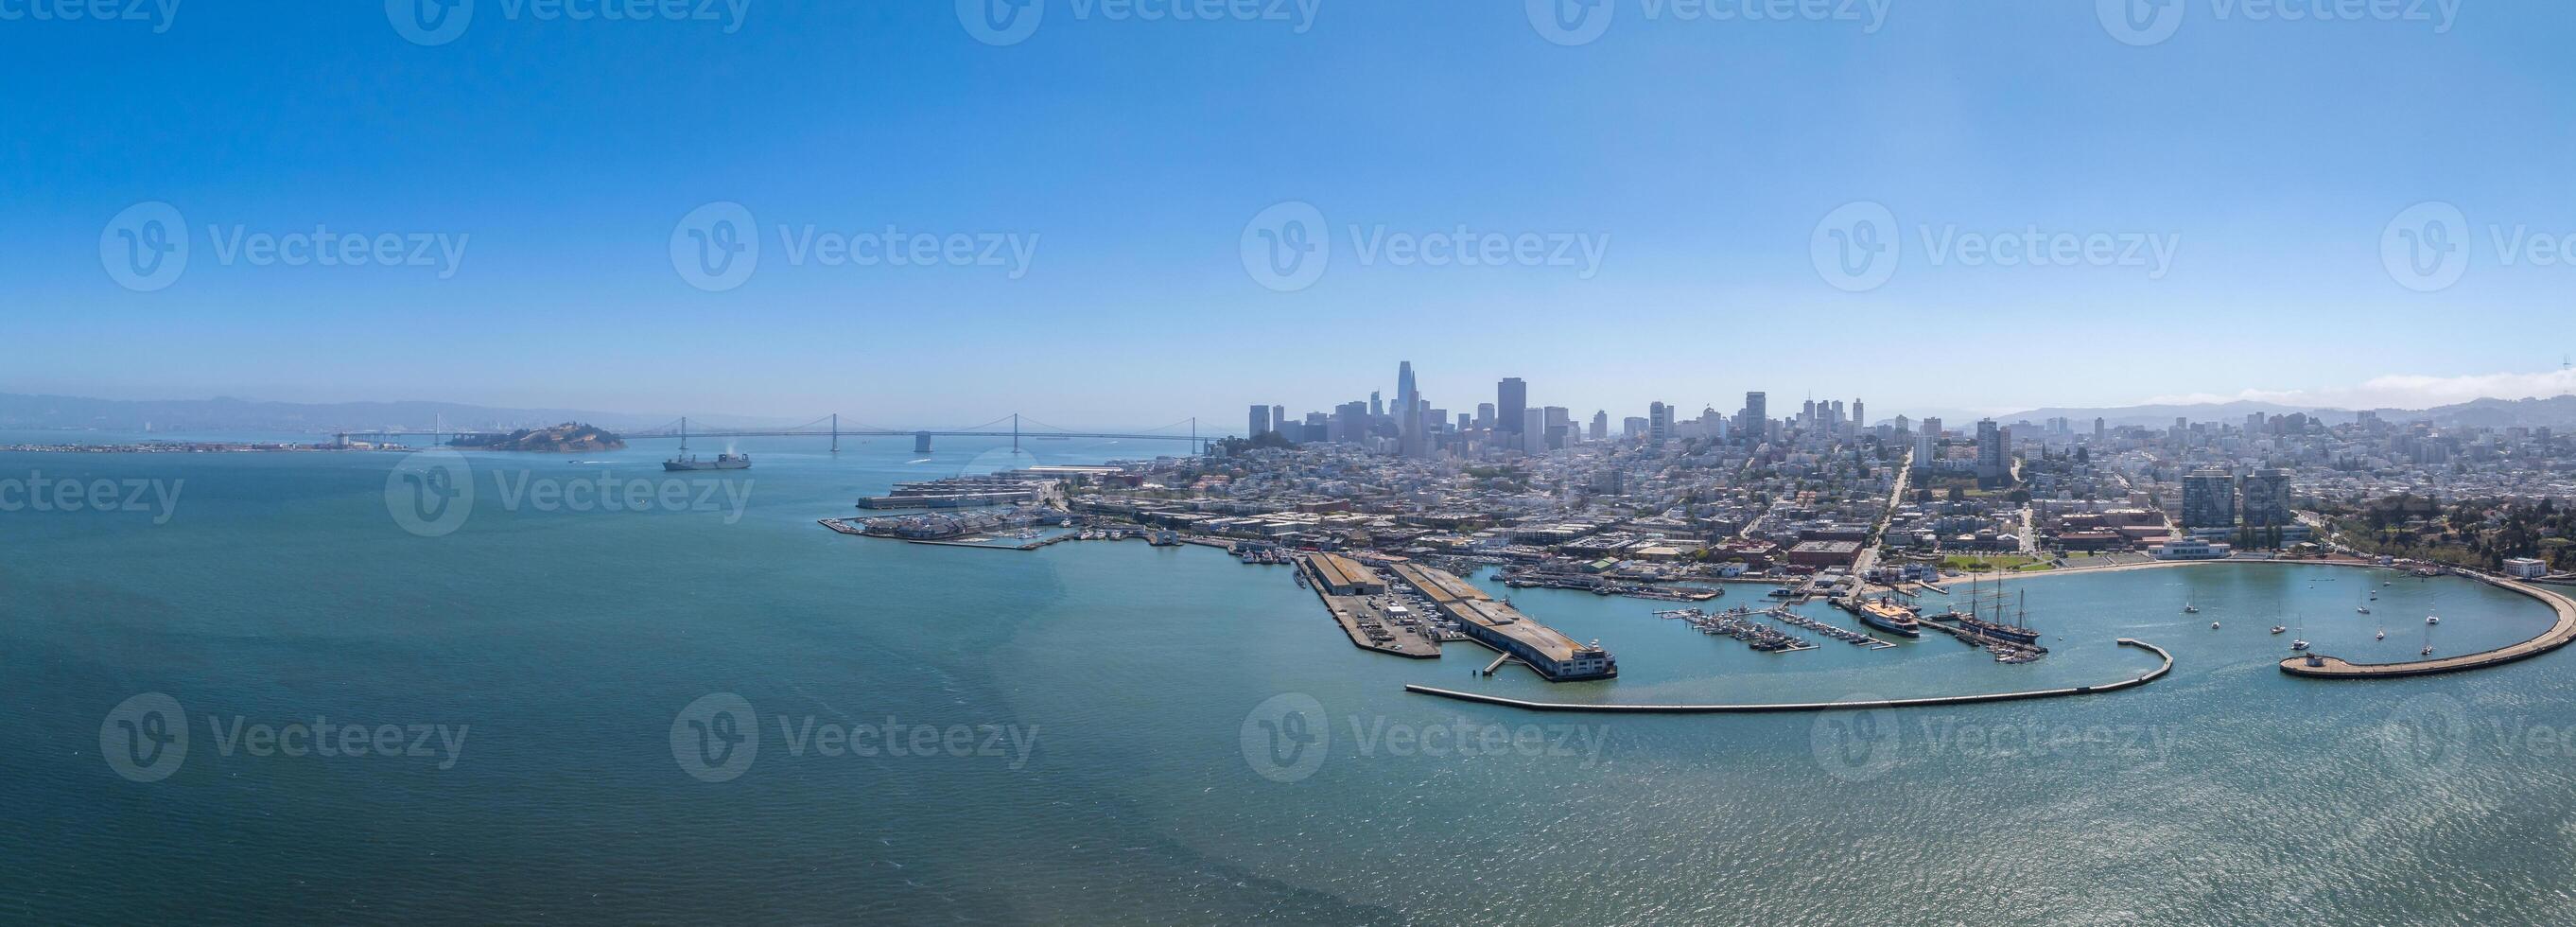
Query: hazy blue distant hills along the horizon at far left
[[249, 416]]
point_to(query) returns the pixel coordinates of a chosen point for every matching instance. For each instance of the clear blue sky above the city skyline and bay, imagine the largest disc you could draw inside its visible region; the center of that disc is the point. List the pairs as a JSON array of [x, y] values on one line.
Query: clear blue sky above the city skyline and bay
[[1119, 161]]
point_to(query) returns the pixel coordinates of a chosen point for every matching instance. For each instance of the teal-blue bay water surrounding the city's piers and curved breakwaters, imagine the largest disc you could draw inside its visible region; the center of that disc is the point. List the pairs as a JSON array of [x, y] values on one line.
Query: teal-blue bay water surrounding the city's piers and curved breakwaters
[[1114, 761]]
